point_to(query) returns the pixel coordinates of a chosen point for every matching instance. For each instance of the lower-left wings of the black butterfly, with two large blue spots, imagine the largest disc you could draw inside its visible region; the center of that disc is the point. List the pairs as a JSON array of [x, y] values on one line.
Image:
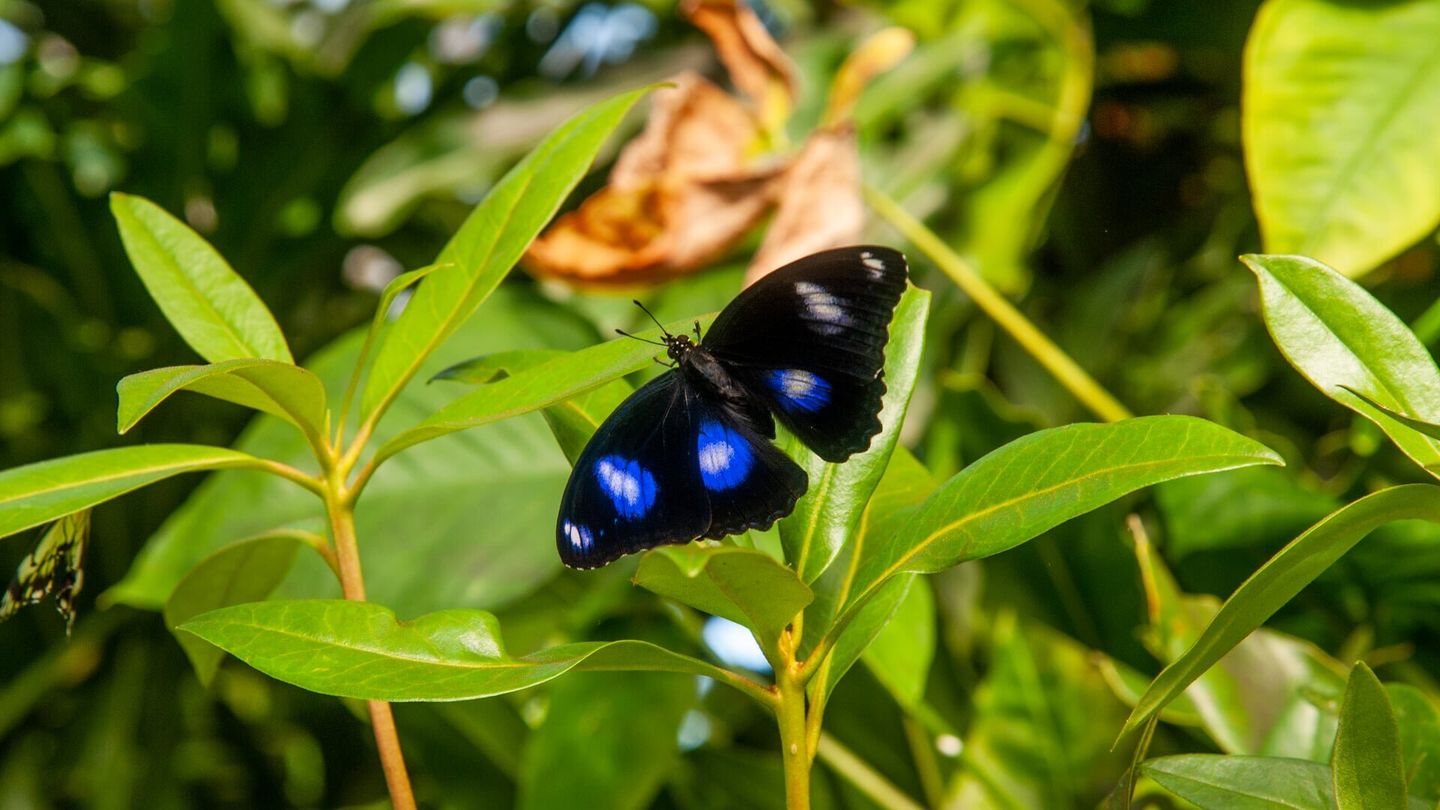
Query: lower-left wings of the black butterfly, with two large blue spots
[[670, 466]]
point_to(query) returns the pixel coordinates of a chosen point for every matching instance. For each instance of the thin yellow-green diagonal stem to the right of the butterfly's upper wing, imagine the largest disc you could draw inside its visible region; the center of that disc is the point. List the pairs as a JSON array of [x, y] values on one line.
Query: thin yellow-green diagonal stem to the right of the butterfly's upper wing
[[1035, 342]]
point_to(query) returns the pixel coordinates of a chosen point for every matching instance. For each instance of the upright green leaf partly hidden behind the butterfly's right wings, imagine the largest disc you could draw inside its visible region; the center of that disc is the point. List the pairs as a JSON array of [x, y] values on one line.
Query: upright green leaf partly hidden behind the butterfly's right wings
[[829, 514]]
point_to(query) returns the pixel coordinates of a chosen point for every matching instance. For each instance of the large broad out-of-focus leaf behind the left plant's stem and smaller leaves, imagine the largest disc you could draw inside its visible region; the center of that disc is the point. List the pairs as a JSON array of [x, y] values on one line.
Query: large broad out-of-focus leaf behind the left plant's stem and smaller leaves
[[463, 522]]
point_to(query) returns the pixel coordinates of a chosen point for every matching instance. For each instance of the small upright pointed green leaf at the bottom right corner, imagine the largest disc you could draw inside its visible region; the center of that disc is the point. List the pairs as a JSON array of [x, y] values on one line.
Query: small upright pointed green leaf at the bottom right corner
[[1369, 767]]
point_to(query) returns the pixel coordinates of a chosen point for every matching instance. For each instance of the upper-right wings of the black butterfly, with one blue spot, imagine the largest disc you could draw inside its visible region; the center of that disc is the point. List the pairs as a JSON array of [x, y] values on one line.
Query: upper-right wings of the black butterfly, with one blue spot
[[810, 339]]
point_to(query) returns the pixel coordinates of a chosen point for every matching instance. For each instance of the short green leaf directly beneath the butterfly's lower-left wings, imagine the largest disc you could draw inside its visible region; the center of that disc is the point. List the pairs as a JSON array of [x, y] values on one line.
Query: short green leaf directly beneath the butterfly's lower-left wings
[[745, 586]]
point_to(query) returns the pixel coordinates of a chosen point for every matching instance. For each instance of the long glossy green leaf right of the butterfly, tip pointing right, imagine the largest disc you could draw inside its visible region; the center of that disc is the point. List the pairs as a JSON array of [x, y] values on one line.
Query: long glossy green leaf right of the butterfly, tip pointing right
[[1045, 479]]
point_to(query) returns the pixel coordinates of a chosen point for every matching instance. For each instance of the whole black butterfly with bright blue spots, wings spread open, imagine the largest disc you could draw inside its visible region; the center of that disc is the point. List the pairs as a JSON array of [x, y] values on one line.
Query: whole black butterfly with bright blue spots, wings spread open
[[689, 456]]
